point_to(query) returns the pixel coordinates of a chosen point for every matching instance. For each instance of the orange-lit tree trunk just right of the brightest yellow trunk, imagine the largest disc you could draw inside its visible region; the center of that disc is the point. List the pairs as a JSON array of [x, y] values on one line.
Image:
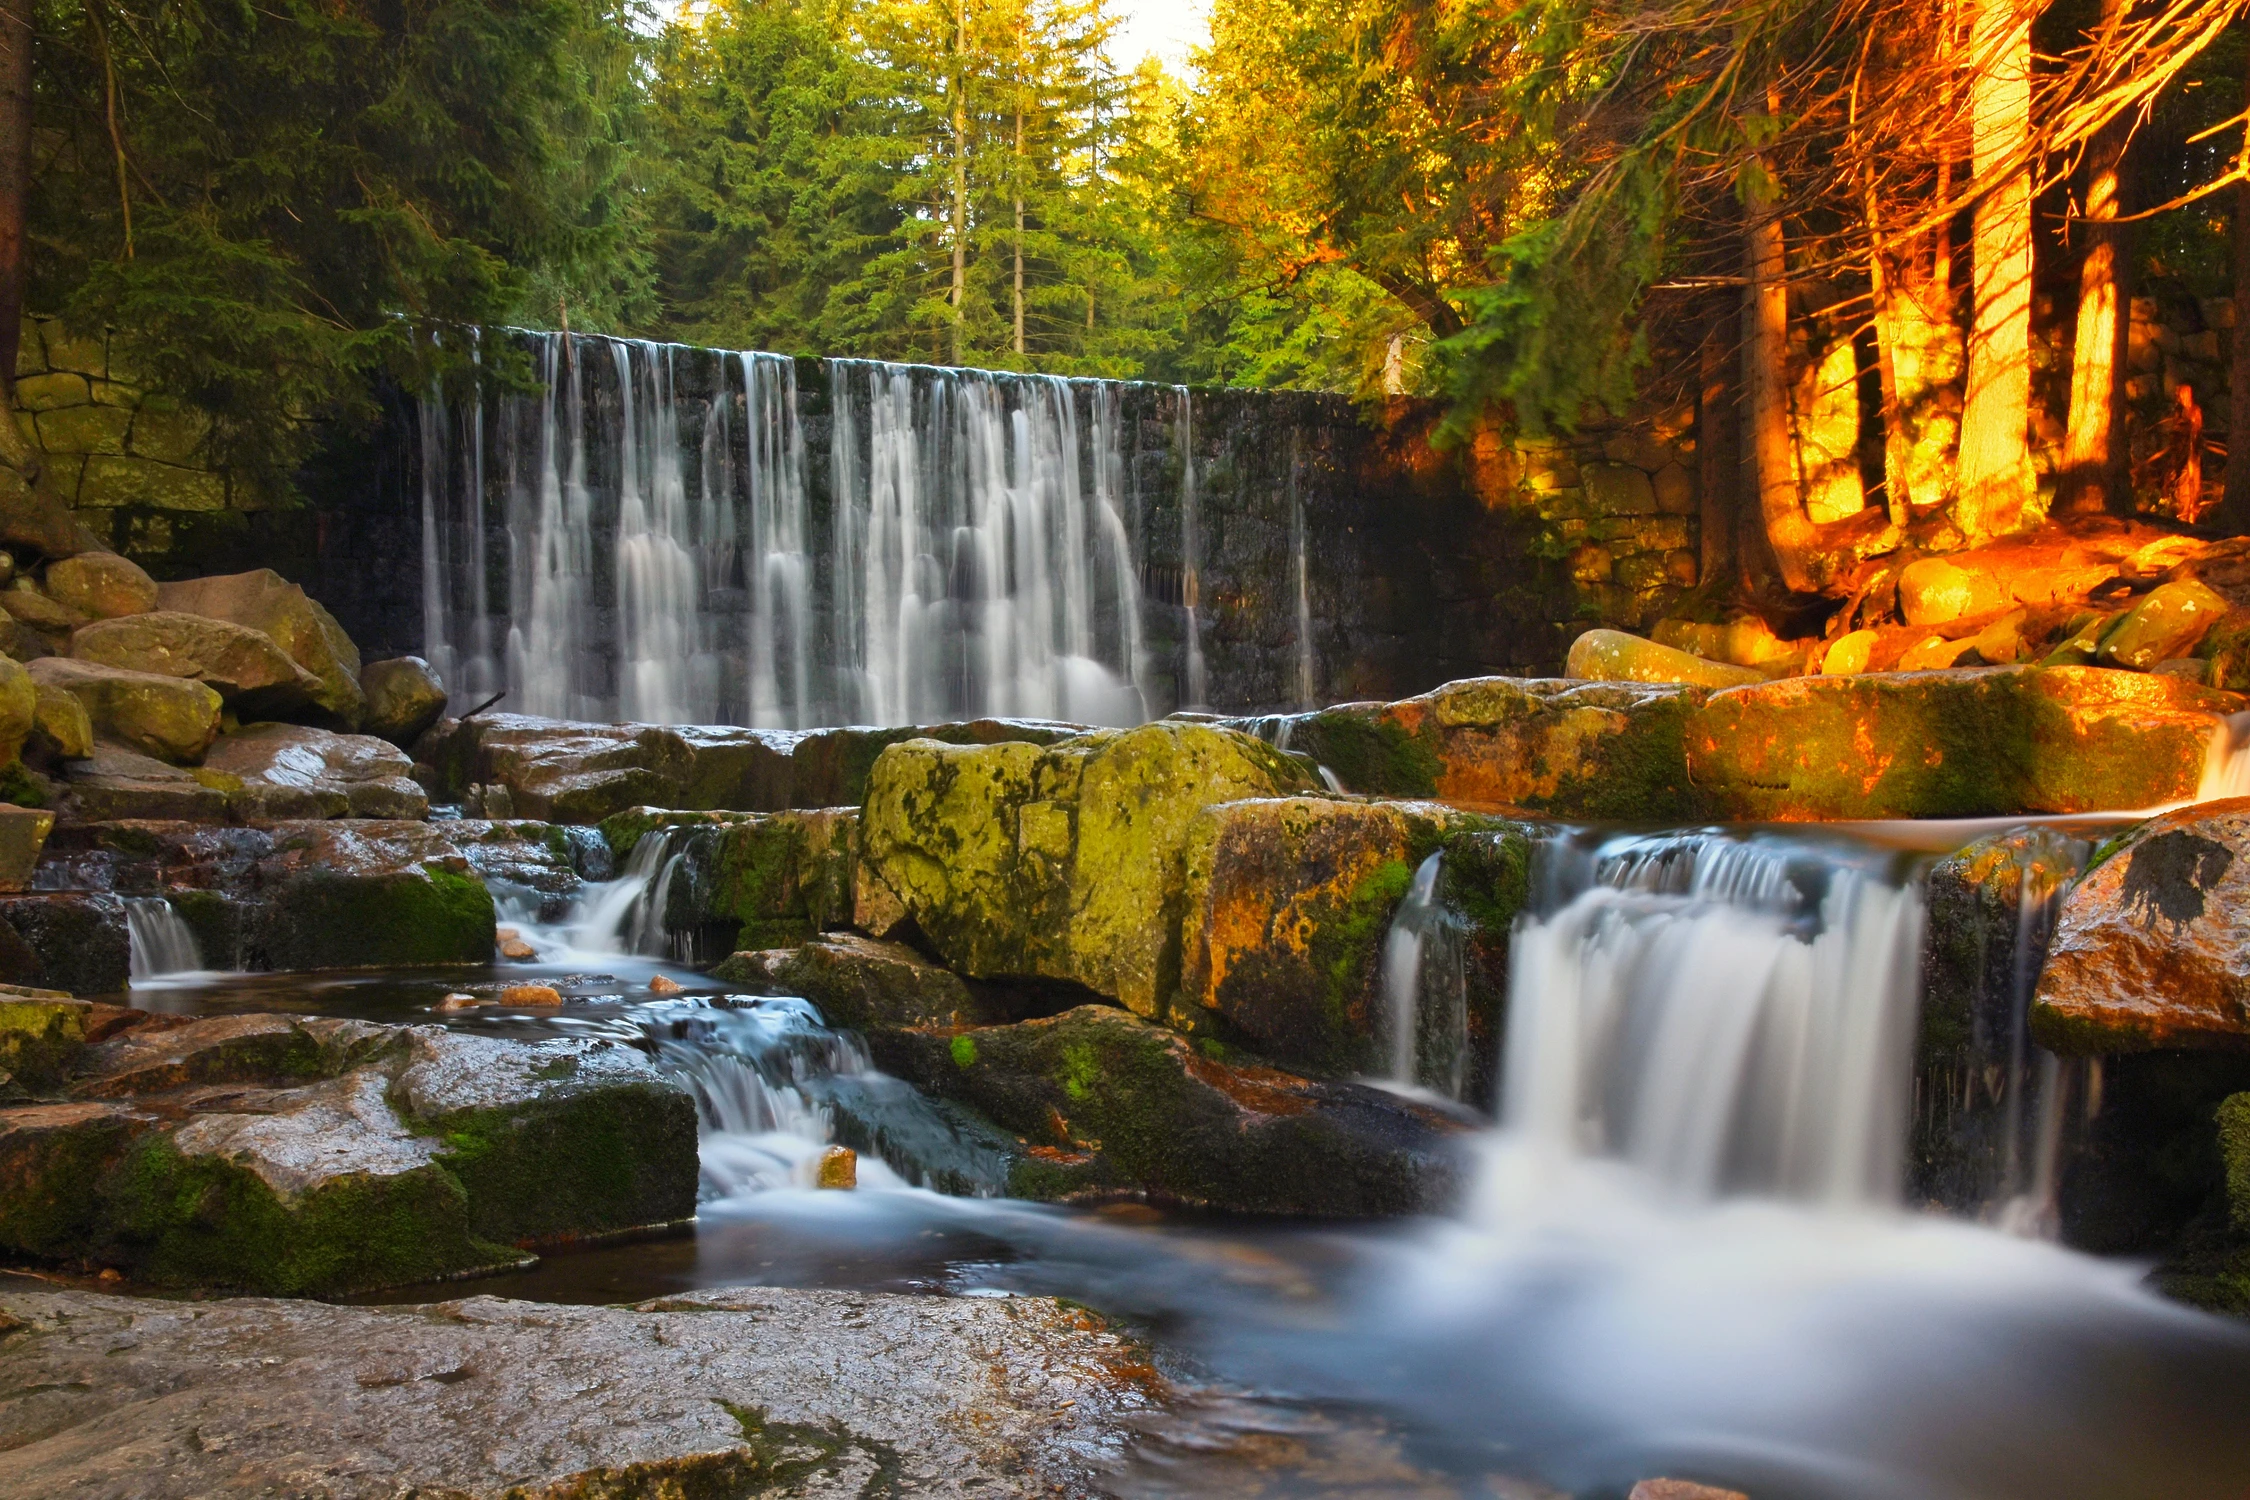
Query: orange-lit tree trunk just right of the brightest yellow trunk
[[2091, 471]]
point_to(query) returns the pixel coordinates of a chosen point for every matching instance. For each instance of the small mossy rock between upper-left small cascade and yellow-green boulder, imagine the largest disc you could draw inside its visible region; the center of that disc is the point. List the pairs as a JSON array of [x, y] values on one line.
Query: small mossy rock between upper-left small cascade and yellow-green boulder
[[748, 878]]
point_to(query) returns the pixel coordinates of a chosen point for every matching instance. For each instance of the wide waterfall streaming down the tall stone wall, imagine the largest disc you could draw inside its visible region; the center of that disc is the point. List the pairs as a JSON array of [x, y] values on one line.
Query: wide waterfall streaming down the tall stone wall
[[676, 557]]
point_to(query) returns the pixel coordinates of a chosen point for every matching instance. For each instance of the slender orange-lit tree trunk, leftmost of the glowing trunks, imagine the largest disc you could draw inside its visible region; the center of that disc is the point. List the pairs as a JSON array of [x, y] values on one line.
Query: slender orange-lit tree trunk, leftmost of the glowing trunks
[[1765, 386]]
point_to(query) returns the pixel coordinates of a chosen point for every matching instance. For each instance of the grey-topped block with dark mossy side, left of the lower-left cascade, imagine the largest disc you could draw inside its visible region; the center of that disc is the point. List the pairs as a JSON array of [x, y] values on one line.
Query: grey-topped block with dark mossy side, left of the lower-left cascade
[[552, 1141]]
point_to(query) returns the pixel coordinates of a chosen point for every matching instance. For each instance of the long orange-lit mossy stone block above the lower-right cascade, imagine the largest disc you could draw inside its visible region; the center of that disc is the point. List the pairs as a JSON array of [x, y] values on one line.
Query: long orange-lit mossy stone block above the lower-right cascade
[[1954, 746]]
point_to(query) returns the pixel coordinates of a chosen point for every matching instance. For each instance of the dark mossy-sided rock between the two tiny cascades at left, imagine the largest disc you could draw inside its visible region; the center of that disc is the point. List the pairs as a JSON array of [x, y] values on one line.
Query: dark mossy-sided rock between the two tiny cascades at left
[[370, 894]]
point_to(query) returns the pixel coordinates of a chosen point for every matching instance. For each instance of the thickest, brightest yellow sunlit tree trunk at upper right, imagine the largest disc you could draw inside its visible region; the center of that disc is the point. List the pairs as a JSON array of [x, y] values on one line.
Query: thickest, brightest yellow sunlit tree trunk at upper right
[[1997, 413]]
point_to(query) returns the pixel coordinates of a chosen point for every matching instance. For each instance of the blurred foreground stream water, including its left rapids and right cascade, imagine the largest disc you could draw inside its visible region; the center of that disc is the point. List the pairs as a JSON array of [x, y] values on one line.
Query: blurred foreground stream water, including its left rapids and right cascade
[[1682, 1251]]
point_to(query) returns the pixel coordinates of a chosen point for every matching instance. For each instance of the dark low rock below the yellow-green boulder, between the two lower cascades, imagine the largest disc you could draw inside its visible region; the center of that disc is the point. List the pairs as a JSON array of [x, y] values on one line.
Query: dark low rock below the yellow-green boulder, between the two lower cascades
[[1117, 1105]]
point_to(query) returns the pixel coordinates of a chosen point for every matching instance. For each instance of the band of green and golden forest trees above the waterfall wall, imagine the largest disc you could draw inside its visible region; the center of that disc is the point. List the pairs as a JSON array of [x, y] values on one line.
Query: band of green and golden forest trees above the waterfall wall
[[1533, 210]]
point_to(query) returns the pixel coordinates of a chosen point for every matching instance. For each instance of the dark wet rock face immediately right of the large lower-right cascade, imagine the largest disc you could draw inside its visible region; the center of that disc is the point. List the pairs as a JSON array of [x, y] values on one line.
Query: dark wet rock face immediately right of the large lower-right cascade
[[1992, 912]]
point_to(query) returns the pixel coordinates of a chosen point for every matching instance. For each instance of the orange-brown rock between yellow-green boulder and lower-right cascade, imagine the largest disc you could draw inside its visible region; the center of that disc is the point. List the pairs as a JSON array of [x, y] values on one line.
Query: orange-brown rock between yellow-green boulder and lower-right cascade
[[1288, 905]]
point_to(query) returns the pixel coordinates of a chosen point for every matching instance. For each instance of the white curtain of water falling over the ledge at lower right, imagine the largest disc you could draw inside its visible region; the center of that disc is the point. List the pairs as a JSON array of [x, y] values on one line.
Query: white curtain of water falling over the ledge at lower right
[[1725, 1013]]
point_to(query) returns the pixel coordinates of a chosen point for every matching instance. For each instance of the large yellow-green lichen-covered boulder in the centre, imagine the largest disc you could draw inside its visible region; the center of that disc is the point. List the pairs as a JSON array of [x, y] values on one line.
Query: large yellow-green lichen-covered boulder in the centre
[[1059, 862]]
